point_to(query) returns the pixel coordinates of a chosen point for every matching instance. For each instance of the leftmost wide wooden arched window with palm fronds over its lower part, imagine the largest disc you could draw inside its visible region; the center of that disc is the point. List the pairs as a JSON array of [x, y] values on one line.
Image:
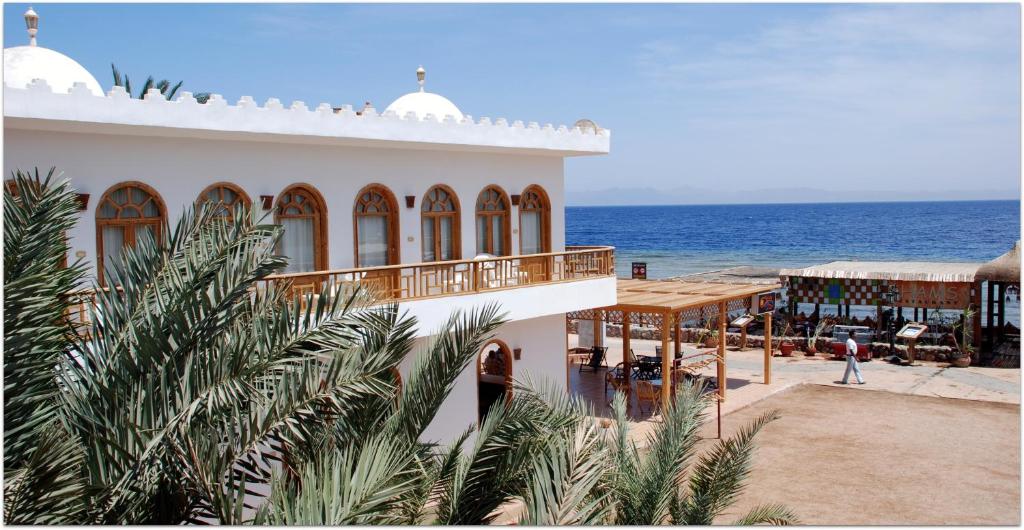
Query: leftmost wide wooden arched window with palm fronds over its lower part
[[127, 213]]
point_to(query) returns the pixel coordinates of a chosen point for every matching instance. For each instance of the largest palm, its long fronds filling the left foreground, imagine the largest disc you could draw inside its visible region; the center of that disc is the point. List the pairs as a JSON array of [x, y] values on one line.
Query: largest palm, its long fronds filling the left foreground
[[191, 388]]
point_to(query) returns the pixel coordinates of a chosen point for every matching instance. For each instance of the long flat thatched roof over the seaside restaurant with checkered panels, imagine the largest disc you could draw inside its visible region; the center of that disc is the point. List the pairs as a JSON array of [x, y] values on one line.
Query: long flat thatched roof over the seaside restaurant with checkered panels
[[890, 271]]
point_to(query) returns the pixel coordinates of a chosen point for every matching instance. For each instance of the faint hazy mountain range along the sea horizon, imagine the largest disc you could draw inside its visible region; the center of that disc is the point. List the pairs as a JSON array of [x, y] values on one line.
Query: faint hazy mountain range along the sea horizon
[[693, 196]]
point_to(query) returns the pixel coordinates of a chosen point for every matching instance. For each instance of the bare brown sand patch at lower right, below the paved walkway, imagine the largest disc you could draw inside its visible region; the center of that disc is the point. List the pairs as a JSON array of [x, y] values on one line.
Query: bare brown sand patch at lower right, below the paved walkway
[[844, 457]]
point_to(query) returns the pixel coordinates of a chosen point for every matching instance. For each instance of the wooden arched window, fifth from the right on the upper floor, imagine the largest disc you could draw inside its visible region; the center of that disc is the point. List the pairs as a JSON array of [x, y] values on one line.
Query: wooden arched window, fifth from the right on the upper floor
[[304, 214]]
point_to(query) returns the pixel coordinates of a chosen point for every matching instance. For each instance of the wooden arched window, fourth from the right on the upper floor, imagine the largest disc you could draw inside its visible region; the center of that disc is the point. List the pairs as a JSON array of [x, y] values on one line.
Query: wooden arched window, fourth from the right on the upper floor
[[376, 222]]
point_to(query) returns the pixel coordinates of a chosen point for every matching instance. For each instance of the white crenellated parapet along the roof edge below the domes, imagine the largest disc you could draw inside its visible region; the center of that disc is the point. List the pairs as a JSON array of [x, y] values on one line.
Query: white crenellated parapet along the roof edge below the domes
[[38, 107]]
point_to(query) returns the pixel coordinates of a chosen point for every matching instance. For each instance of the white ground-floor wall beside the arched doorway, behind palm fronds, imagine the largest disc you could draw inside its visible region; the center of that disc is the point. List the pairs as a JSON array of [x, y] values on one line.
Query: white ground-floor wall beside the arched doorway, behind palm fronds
[[543, 344]]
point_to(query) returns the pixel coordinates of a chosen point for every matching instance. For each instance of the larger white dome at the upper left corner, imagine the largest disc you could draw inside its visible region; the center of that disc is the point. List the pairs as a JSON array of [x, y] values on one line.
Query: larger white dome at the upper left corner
[[24, 64]]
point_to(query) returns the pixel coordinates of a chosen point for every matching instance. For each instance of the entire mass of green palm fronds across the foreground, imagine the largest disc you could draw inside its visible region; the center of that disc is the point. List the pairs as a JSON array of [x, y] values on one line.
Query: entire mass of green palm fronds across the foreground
[[203, 393]]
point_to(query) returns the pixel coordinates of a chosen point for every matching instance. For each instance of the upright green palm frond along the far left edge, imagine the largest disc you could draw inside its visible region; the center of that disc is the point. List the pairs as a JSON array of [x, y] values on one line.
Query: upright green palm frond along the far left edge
[[36, 326]]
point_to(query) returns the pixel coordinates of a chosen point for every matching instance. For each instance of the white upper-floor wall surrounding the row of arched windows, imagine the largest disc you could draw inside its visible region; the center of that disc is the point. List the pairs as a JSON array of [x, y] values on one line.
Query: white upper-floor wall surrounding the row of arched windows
[[181, 168]]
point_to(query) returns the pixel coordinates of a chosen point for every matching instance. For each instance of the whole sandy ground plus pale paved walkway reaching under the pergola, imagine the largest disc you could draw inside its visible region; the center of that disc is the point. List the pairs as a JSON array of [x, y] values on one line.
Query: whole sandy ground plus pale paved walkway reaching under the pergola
[[917, 446]]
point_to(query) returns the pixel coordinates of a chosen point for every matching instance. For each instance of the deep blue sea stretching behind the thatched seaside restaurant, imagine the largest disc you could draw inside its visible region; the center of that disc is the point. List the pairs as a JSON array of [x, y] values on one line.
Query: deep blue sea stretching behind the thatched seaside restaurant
[[684, 240]]
